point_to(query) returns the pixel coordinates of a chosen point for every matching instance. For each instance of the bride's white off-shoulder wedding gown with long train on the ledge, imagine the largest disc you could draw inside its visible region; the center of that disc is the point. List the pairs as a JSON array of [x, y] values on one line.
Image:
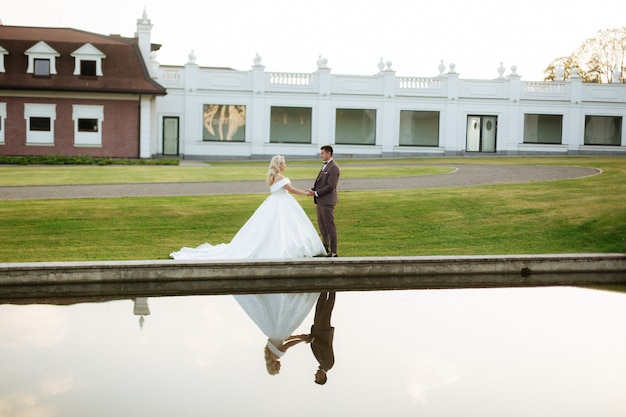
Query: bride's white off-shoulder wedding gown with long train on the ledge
[[278, 229]]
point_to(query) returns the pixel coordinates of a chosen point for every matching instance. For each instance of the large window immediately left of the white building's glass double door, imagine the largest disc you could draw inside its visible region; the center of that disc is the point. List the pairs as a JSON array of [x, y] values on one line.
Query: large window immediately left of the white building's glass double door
[[419, 128]]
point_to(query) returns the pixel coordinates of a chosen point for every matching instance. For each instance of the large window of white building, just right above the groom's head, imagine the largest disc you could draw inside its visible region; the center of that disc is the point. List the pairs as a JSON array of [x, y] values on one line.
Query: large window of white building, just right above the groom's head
[[355, 127]]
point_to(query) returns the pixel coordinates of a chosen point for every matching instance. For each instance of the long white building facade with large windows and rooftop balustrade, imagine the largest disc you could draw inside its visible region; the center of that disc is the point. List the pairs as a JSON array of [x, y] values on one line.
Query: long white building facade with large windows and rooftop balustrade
[[575, 117]]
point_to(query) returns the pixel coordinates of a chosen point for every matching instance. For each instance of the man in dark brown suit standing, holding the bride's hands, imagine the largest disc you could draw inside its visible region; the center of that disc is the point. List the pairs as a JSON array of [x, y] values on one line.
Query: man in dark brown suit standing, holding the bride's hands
[[324, 194]]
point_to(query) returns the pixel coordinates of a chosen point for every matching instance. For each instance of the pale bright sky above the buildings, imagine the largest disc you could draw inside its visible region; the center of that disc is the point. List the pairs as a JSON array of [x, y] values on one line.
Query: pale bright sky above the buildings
[[353, 35]]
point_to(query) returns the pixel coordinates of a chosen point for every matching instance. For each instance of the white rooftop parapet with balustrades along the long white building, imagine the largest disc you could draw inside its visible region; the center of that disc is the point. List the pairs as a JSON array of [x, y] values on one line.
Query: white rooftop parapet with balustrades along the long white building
[[385, 84]]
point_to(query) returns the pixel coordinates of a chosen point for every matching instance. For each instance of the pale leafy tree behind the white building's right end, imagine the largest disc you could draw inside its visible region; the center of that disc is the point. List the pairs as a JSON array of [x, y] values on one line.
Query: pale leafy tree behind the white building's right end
[[596, 58]]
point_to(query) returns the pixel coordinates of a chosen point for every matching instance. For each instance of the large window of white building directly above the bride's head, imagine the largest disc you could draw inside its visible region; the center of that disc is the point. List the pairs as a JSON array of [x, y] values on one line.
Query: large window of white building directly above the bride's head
[[290, 125]]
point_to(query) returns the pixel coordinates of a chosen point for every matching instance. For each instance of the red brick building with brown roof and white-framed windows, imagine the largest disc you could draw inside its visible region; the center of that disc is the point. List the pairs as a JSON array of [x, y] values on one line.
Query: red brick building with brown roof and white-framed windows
[[69, 92]]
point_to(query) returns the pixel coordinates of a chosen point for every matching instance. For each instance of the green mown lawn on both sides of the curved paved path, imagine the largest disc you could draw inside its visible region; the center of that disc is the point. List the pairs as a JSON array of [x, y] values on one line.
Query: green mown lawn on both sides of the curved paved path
[[568, 216]]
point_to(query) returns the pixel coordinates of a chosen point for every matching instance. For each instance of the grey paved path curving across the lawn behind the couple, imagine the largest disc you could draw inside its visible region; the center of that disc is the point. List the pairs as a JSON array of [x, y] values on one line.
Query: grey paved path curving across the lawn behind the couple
[[462, 176]]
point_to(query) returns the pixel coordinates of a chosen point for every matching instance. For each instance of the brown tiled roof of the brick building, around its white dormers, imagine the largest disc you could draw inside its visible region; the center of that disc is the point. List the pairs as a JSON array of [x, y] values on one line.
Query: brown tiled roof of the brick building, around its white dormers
[[123, 69]]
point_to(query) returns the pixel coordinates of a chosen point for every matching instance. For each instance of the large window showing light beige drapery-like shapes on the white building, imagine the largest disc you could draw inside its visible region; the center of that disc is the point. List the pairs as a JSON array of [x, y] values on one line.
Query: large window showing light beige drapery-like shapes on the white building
[[224, 122]]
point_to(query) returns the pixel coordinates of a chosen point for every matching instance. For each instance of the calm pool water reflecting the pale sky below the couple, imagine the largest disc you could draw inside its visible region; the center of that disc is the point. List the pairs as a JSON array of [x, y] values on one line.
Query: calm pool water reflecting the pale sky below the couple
[[510, 352]]
